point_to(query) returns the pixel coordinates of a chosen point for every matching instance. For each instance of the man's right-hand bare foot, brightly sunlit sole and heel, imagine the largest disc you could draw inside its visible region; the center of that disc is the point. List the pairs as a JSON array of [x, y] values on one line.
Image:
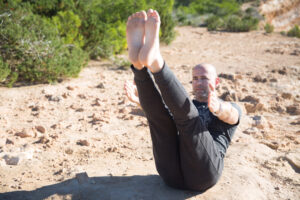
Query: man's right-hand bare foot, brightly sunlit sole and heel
[[149, 54]]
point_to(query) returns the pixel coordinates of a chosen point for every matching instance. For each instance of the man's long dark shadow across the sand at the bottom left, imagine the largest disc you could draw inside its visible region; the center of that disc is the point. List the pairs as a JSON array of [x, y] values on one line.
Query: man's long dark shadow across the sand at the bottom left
[[104, 188]]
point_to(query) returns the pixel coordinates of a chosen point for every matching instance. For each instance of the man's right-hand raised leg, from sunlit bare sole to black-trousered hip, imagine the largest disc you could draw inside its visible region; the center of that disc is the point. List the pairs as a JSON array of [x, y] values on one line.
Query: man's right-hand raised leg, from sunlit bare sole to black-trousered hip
[[200, 162]]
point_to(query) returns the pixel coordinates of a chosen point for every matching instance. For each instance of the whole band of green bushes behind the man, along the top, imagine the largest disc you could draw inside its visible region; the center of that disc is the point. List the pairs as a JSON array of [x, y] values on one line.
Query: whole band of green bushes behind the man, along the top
[[44, 41]]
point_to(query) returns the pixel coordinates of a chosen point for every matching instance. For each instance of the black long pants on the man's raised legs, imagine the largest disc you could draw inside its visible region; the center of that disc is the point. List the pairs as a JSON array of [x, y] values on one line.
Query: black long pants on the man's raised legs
[[185, 153]]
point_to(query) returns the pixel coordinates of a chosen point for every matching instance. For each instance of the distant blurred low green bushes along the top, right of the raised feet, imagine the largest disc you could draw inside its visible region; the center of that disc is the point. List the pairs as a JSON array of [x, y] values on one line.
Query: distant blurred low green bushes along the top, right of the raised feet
[[217, 15]]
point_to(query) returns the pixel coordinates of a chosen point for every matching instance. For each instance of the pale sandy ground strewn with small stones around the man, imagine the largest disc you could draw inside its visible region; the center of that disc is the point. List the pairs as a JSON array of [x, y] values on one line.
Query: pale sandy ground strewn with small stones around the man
[[82, 139]]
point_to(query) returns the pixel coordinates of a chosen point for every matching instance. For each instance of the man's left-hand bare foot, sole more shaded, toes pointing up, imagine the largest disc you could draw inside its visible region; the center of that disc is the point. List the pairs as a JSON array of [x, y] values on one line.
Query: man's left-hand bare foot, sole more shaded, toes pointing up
[[135, 35]]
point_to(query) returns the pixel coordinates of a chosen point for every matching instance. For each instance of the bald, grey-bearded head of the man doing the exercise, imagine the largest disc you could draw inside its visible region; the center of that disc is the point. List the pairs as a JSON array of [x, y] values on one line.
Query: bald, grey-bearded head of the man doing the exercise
[[203, 75]]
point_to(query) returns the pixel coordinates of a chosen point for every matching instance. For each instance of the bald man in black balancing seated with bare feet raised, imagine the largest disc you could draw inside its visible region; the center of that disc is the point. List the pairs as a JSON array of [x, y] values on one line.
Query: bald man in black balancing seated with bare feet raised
[[189, 138]]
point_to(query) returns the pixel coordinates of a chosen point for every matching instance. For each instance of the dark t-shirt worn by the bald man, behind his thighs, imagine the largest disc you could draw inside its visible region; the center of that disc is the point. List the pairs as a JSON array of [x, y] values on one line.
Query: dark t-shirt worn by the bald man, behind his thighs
[[221, 132]]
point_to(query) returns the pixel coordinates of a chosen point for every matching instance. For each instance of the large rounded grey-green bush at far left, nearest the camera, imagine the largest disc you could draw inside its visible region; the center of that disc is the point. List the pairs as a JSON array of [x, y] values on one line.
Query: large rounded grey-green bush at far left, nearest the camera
[[34, 52]]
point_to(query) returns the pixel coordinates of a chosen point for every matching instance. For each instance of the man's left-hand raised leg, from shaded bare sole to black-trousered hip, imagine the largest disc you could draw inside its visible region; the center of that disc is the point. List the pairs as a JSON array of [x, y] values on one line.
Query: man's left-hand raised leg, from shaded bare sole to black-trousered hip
[[162, 128]]
